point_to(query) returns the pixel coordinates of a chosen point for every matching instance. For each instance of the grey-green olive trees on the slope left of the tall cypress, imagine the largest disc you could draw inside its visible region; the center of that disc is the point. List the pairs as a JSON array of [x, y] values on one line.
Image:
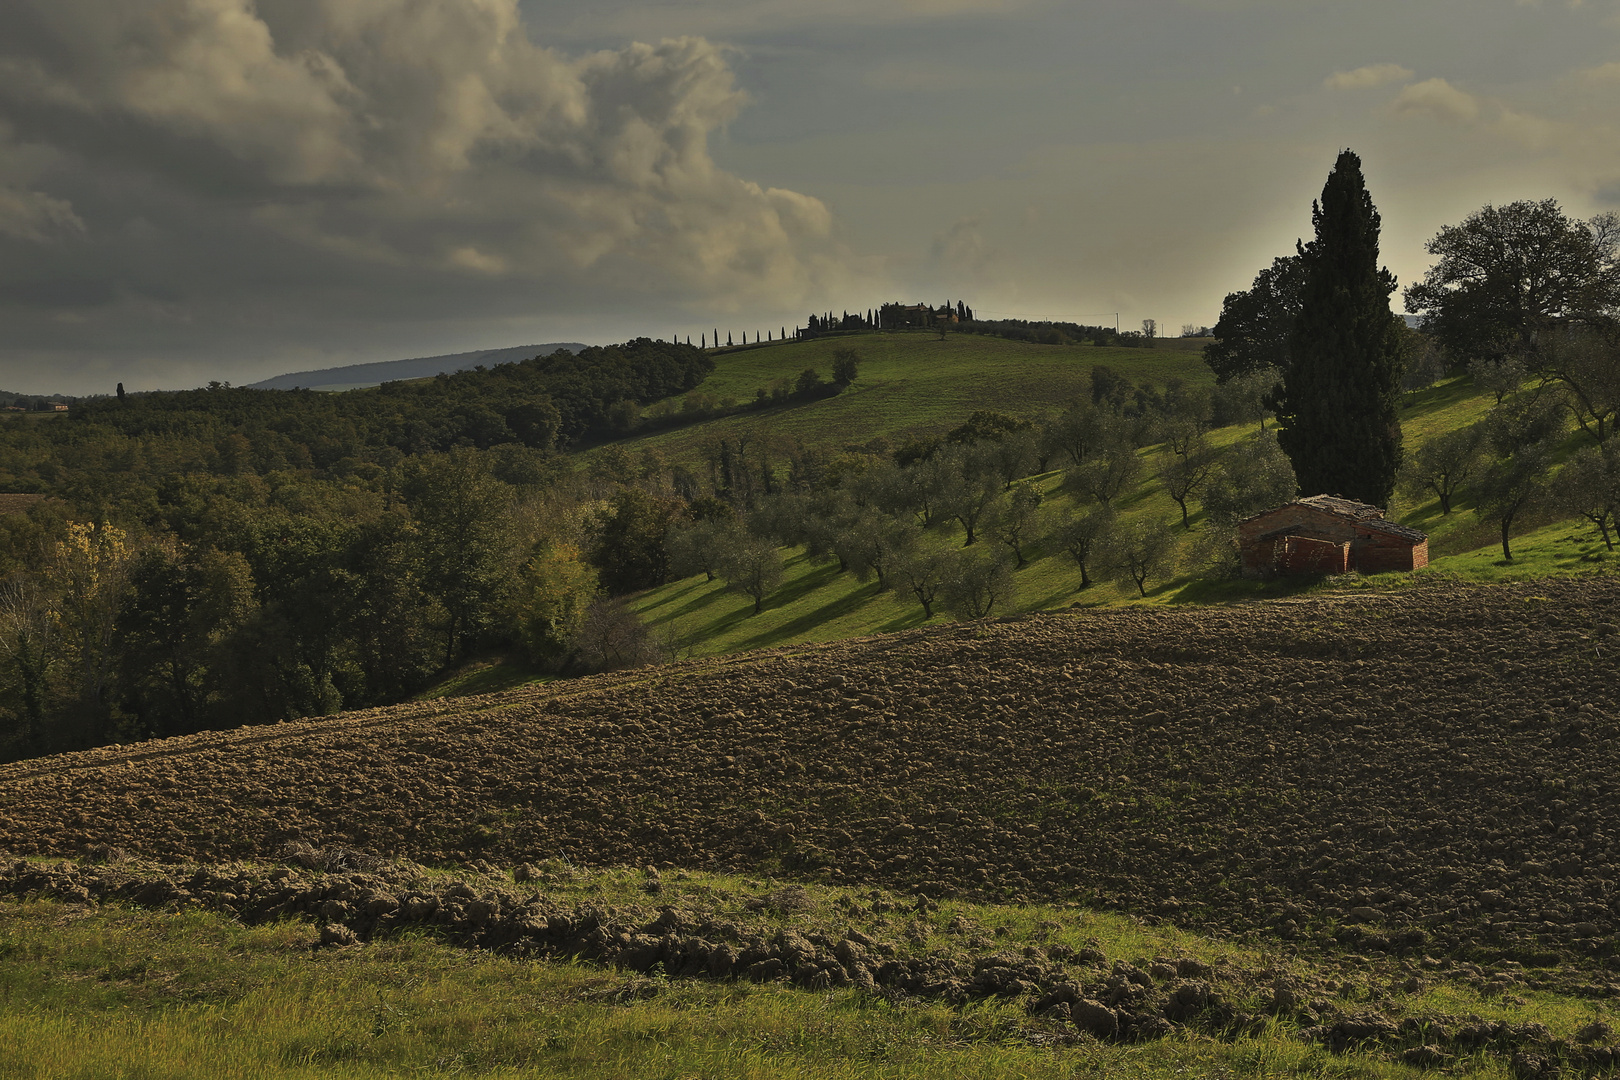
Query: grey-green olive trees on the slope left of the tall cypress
[[950, 521]]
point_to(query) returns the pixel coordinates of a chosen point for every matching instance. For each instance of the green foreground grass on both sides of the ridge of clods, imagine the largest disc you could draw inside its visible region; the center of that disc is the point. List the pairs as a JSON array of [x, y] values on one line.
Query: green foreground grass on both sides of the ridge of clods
[[124, 992]]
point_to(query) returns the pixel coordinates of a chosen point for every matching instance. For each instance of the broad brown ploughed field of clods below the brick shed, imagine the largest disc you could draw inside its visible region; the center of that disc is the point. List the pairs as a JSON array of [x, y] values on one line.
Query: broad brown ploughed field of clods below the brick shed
[[1430, 770]]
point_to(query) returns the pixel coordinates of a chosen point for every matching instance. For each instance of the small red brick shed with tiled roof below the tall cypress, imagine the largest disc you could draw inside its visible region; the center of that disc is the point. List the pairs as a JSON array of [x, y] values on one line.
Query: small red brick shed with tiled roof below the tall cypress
[[1328, 535]]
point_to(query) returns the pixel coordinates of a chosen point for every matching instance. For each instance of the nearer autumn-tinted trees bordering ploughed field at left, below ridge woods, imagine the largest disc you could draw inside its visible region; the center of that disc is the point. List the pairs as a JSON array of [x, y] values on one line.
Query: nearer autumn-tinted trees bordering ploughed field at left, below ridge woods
[[258, 598]]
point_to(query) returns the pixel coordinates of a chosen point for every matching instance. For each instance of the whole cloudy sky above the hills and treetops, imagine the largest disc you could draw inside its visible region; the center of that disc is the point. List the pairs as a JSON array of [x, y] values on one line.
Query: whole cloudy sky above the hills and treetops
[[198, 190]]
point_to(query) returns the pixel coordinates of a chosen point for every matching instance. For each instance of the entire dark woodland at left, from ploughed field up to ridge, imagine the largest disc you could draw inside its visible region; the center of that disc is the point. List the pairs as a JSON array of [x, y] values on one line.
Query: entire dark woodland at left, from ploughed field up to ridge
[[231, 556]]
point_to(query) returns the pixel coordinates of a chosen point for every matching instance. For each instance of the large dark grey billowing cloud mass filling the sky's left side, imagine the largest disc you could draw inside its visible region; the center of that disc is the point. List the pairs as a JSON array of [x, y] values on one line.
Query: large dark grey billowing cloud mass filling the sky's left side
[[205, 177]]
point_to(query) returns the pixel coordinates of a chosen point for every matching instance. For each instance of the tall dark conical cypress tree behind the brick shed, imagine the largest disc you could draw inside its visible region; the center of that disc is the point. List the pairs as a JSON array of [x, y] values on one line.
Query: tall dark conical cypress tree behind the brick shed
[[1339, 398]]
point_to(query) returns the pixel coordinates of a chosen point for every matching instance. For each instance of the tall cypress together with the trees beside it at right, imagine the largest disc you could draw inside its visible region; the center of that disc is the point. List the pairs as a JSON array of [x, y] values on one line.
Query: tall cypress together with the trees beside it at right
[[1524, 299]]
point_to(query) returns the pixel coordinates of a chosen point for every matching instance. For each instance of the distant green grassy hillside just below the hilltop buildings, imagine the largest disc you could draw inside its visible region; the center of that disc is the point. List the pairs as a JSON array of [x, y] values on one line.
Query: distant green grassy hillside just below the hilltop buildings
[[914, 385]]
